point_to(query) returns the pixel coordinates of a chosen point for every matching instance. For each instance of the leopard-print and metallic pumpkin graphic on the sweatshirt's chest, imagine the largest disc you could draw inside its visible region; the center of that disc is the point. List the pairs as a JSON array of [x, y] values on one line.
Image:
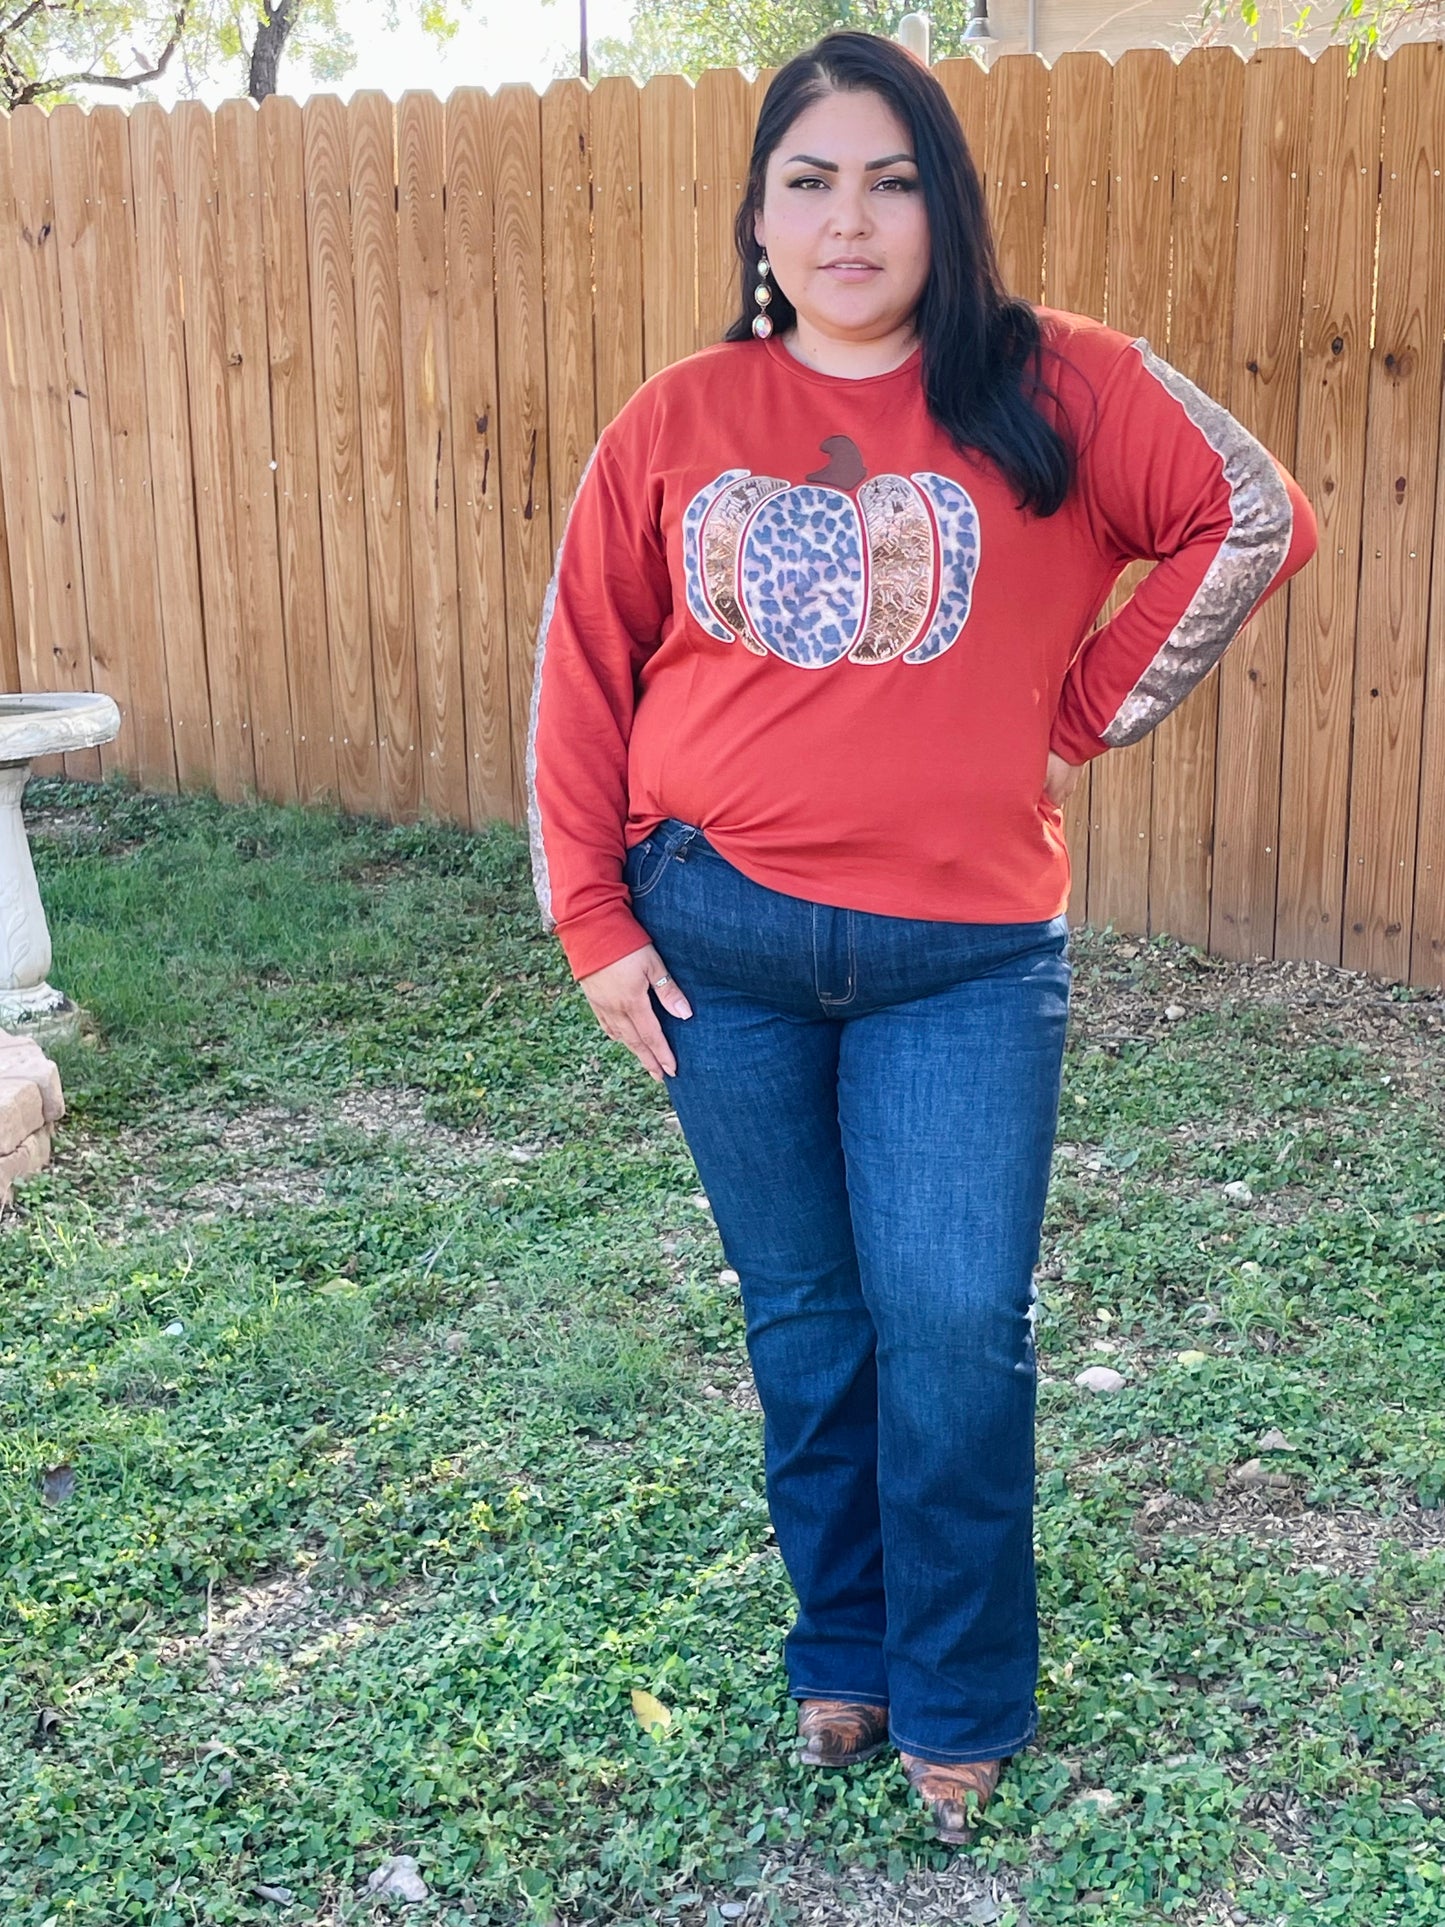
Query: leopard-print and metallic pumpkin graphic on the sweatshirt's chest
[[843, 566]]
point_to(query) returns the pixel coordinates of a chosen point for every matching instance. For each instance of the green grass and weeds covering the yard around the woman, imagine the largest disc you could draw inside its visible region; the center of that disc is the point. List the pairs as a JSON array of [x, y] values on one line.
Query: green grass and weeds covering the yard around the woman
[[371, 1554]]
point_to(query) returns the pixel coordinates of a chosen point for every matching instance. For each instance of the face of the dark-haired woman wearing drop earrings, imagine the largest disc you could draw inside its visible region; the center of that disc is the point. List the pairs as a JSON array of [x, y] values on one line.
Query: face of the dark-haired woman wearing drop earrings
[[843, 219]]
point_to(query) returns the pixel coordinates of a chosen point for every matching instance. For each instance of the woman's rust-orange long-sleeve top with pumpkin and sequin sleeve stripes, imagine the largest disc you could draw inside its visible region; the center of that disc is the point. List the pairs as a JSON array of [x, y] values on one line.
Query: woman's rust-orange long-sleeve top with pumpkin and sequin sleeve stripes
[[791, 612]]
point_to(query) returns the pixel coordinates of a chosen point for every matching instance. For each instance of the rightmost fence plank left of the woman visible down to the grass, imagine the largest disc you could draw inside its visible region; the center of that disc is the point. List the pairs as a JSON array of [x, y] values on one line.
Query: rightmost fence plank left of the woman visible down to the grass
[[477, 465]]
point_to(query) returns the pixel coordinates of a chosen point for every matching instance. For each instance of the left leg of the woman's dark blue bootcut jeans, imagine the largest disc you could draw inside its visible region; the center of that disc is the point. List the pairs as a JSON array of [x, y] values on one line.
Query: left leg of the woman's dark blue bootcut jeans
[[756, 1095]]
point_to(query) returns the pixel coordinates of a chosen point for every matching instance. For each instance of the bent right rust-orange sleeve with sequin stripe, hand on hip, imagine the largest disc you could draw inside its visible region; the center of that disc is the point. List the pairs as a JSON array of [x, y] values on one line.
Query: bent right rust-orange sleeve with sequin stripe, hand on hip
[[1172, 477]]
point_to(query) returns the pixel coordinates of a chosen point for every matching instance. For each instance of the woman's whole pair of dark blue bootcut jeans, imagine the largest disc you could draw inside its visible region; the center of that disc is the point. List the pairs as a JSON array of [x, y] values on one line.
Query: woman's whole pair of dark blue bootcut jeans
[[872, 1107]]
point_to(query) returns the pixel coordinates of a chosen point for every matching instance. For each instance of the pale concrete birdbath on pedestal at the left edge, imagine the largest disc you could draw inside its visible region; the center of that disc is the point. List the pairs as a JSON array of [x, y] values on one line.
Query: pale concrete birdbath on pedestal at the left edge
[[30, 727]]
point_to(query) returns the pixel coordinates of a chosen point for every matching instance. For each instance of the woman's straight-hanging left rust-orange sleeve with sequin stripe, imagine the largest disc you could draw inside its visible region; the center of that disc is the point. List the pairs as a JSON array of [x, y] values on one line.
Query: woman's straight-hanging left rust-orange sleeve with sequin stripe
[[602, 620]]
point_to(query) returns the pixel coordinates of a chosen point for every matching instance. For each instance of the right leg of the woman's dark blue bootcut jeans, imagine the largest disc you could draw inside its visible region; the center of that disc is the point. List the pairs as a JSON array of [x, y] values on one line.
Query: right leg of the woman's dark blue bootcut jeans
[[949, 1109]]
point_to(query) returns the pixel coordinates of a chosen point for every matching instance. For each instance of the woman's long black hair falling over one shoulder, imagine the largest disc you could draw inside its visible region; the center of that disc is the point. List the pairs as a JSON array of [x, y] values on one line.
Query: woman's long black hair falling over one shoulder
[[982, 348]]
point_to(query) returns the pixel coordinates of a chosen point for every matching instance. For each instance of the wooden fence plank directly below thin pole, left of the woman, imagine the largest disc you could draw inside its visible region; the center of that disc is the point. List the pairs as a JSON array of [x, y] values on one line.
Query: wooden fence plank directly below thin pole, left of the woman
[[567, 317]]
